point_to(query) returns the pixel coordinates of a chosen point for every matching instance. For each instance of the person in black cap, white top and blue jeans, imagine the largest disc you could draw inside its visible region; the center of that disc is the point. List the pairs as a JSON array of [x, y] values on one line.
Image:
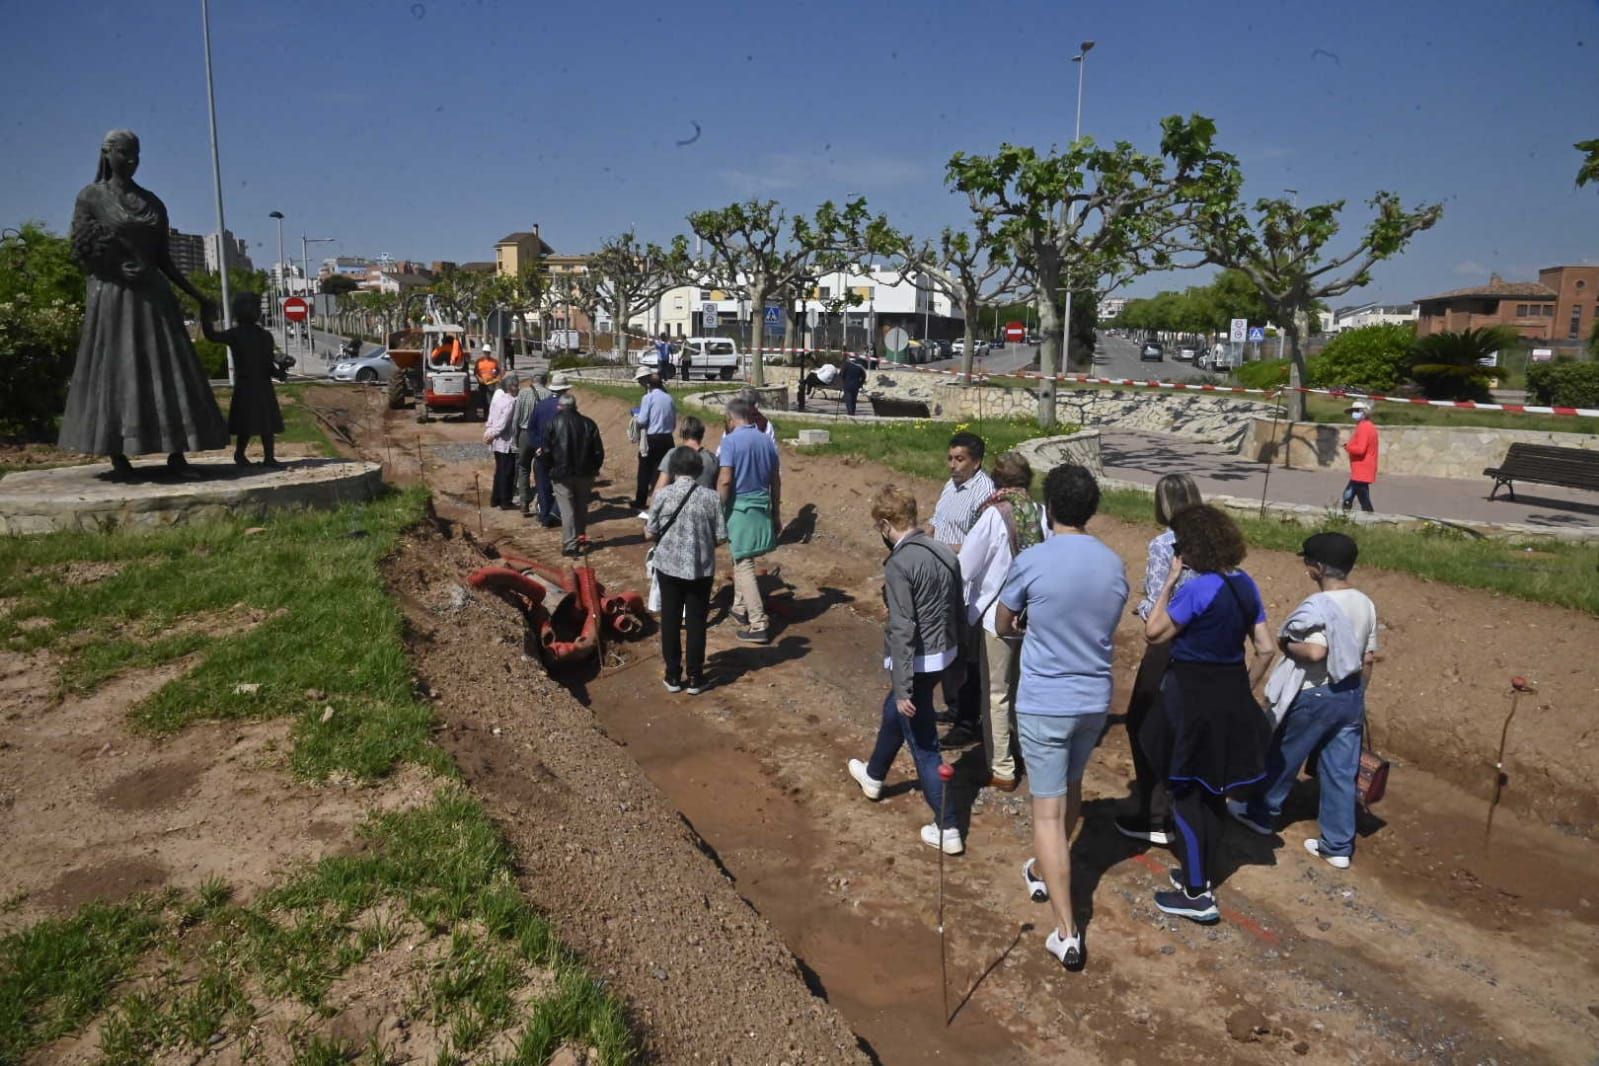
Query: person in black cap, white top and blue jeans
[[1318, 694]]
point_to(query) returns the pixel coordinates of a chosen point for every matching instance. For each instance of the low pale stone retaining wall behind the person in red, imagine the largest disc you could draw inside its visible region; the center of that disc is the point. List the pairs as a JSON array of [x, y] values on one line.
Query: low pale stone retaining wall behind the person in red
[[1435, 451]]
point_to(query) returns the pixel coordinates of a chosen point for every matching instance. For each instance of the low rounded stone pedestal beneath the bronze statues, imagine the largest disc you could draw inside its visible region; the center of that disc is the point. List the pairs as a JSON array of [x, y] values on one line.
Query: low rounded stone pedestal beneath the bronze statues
[[81, 498]]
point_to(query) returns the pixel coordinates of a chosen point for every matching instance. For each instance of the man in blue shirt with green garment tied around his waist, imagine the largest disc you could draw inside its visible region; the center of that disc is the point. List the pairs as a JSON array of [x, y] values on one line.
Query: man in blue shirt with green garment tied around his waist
[[751, 488]]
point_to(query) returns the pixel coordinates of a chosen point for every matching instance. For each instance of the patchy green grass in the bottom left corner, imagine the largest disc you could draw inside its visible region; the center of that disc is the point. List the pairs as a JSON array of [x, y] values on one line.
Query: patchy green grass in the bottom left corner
[[209, 965]]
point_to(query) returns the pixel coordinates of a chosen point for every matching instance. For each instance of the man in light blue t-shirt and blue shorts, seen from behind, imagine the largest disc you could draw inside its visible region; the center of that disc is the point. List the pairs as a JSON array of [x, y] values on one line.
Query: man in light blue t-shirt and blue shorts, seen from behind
[[1074, 591]]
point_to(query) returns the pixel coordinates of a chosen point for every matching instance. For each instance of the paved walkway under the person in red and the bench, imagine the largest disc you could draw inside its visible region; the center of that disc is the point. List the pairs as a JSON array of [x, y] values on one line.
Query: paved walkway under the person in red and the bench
[[1144, 458]]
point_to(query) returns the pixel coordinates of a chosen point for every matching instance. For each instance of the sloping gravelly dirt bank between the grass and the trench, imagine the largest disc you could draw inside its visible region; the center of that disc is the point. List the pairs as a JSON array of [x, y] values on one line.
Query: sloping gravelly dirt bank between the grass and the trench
[[605, 856]]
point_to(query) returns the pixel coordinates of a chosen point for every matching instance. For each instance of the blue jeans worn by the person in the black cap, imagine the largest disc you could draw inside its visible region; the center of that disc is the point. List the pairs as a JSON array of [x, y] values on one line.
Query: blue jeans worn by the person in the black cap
[[1330, 718]]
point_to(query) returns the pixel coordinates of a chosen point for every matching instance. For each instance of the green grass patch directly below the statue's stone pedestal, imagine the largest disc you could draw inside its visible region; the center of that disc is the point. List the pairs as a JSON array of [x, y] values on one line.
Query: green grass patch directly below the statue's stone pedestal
[[295, 608]]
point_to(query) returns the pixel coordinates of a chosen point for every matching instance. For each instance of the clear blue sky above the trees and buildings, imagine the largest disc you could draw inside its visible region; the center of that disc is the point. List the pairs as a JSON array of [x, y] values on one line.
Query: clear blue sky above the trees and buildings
[[431, 129]]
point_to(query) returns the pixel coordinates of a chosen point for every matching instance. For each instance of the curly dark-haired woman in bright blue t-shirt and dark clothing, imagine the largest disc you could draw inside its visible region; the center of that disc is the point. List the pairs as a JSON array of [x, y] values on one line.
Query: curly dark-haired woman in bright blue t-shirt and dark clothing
[[1211, 736]]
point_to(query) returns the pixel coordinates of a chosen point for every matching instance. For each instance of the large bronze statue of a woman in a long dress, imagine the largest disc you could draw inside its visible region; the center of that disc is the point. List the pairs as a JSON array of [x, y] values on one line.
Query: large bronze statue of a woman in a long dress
[[138, 386]]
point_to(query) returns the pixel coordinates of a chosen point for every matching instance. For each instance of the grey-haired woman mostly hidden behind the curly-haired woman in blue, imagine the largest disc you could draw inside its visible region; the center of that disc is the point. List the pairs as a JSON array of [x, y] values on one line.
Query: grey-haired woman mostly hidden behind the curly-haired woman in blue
[[1150, 819]]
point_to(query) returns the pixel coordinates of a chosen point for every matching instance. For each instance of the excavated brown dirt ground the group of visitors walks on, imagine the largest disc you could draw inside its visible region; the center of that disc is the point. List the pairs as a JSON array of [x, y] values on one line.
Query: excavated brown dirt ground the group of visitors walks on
[[1435, 947]]
